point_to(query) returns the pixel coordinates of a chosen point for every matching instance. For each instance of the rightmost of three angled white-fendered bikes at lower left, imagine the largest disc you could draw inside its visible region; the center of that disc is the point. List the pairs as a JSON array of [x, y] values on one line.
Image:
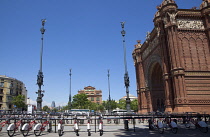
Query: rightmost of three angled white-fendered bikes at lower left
[[40, 127]]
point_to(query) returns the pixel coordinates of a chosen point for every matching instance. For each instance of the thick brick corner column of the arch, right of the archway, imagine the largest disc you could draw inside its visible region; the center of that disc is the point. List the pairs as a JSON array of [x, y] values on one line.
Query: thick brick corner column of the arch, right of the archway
[[177, 70]]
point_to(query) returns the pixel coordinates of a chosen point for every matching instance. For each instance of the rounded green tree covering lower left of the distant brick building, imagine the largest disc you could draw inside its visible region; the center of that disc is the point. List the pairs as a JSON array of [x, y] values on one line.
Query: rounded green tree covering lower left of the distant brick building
[[80, 101]]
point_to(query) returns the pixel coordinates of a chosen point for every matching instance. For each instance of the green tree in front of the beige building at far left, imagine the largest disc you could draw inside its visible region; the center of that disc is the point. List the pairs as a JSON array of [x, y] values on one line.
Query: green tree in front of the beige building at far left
[[19, 101]]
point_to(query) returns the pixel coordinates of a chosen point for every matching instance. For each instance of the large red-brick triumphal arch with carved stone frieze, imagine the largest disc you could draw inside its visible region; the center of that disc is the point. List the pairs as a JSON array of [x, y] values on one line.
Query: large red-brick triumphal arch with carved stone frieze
[[173, 64]]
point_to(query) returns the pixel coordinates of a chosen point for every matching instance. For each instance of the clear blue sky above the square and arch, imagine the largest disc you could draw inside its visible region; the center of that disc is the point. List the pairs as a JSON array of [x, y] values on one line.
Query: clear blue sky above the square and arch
[[83, 35]]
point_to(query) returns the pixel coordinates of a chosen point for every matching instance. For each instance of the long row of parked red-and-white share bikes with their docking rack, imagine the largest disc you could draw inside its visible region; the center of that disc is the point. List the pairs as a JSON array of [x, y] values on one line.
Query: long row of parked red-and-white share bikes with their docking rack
[[42, 123]]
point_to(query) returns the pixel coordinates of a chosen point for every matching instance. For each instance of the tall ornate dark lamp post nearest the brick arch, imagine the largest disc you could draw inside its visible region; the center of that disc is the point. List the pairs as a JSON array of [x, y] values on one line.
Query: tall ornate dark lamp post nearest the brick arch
[[126, 77]]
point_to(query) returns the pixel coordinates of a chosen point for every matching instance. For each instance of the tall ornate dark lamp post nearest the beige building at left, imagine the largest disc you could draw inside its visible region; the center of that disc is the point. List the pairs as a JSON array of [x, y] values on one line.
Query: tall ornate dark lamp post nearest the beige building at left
[[40, 75]]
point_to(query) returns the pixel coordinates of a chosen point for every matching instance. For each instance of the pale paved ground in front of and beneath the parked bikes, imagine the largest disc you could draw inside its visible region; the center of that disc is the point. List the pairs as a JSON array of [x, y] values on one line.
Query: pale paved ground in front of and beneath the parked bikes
[[112, 130]]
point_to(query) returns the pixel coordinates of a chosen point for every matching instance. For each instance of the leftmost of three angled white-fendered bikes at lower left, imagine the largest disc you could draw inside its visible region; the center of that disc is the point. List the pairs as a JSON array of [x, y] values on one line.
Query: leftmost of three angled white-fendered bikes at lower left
[[12, 128]]
